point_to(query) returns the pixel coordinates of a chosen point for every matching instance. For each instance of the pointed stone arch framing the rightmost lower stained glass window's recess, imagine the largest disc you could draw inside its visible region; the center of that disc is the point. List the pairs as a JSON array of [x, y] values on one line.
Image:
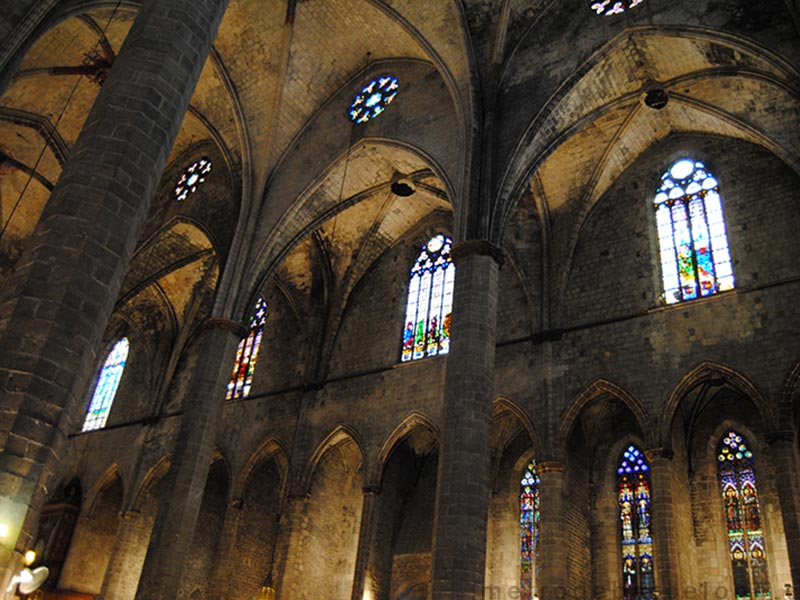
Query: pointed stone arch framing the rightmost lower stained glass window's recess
[[712, 373]]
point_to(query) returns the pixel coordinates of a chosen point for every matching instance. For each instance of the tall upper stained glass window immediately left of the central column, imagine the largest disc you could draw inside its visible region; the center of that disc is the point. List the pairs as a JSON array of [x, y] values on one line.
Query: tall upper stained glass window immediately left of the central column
[[430, 301]]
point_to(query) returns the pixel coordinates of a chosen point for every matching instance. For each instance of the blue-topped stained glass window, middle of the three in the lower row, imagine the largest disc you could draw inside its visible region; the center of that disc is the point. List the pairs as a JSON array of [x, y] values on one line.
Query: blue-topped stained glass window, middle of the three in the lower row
[[633, 488]]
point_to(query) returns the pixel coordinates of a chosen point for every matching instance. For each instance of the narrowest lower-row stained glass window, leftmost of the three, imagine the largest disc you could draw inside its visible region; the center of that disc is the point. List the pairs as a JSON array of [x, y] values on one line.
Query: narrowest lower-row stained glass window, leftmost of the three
[[529, 520]]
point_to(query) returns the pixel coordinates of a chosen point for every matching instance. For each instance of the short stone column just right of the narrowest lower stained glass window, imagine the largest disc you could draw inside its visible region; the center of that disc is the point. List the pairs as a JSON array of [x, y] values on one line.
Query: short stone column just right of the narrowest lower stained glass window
[[552, 531]]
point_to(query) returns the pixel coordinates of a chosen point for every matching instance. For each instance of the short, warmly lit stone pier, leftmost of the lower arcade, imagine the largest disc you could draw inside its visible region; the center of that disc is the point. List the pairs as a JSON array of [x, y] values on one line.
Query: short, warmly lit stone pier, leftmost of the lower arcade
[[127, 556]]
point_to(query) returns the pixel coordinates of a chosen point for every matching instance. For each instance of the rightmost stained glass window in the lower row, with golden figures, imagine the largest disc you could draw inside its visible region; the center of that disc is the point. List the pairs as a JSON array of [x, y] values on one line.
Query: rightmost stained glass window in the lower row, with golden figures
[[743, 518]]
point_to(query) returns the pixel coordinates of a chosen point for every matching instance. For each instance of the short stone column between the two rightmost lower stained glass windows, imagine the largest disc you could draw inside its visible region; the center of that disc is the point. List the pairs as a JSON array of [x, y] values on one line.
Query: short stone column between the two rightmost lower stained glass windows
[[662, 509]]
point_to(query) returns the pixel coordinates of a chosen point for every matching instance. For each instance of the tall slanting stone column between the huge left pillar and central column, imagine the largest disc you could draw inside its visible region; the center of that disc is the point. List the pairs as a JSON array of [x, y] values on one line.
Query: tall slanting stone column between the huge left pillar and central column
[[172, 536]]
